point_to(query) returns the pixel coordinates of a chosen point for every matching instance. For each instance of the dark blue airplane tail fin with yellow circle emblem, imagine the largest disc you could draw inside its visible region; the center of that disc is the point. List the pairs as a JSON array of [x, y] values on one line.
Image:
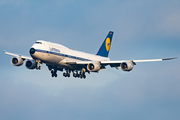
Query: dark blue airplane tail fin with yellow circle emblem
[[105, 47]]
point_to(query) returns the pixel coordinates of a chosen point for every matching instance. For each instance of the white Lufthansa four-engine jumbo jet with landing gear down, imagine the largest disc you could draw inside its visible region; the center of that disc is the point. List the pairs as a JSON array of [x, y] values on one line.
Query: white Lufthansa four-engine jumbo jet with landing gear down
[[58, 57]]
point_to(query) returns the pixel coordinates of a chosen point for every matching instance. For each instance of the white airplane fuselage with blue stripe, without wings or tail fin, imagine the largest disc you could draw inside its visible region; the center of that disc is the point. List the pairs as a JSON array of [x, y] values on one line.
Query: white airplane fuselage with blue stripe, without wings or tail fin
[[59, 55]]
